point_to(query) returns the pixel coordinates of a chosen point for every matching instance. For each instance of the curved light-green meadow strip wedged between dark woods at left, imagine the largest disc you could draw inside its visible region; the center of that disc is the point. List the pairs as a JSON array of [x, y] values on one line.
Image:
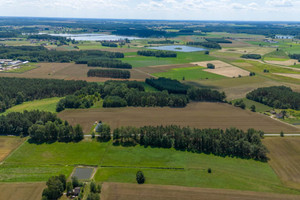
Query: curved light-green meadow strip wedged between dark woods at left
[[48, 105]]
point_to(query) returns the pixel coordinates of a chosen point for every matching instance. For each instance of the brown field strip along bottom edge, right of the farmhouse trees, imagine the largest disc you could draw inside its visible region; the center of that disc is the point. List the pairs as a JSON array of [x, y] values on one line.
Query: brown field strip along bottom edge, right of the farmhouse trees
[[123, 191]]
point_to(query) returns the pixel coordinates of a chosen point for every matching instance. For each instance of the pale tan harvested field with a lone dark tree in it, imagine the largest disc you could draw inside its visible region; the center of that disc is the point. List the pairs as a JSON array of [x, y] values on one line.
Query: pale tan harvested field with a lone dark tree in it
[[223, 69]]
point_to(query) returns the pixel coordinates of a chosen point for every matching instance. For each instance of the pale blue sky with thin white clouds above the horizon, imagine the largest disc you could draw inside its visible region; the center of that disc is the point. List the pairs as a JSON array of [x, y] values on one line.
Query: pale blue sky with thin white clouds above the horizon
[[238, 10]]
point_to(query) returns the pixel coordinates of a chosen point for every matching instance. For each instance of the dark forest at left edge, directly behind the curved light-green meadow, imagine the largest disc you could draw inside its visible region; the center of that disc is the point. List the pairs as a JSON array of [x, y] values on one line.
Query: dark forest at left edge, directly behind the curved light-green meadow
[[15, 91]]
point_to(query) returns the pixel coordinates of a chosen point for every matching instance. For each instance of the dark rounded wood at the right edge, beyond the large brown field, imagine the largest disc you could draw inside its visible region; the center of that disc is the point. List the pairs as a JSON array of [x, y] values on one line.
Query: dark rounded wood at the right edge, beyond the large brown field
[[277, 97]]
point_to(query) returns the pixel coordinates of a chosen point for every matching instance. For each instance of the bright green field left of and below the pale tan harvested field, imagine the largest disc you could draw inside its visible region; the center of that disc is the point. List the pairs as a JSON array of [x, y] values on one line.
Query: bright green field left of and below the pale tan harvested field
[[188, 73]]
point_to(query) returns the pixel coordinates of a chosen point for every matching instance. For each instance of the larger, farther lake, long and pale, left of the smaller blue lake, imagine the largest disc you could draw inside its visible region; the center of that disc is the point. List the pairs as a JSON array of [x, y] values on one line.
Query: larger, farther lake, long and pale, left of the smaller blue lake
[[94, 37]]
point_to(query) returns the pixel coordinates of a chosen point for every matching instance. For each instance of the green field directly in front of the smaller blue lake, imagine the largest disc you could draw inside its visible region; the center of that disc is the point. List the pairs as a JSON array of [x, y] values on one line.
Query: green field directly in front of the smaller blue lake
[[182, 57]]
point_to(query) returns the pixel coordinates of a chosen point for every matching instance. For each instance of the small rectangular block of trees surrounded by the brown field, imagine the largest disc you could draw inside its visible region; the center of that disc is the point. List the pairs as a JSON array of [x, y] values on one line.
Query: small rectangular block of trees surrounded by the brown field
[[109, 73]]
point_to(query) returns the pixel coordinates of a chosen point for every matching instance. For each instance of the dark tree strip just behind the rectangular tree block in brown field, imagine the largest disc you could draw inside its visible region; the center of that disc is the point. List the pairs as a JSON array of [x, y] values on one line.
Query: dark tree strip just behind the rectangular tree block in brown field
[[109, 63]]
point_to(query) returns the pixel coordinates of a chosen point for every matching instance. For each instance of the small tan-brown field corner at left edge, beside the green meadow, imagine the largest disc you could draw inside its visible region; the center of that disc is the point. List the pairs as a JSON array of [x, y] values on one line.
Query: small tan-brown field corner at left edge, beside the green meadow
[[8, 144]]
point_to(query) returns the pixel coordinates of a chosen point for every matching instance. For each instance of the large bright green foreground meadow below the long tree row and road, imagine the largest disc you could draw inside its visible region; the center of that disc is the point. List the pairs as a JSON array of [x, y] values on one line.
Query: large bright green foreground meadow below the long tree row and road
[[119, 164]]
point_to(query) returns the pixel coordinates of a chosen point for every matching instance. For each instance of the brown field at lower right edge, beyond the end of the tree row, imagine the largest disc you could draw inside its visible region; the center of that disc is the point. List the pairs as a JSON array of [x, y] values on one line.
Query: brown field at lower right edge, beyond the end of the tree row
[[285, 159]]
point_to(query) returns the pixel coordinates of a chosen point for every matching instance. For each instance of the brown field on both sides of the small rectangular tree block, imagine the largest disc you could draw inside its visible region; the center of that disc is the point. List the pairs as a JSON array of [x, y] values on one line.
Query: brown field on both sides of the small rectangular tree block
[[68, 71]]
